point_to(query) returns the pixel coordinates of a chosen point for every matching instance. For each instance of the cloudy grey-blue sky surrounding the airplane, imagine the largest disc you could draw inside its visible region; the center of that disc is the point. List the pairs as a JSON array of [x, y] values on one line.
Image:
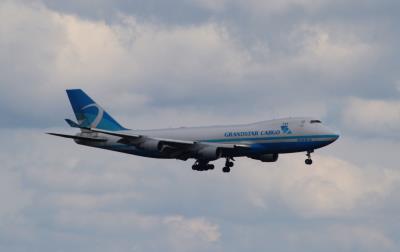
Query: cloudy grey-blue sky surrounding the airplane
[[158, 63]]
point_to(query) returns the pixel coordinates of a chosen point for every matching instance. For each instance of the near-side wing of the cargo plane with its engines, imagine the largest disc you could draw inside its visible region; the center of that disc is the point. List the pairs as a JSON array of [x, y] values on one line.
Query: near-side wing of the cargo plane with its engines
[[179, 149]]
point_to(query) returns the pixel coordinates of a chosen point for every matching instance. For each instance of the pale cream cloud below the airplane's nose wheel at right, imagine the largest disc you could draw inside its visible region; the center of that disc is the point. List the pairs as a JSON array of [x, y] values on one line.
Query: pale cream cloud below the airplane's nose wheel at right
[[335, 187]]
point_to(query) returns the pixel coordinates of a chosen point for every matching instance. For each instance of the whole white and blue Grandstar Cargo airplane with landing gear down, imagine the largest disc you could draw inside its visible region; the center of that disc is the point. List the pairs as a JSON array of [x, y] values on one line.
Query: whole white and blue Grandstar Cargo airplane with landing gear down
[[263, 141]]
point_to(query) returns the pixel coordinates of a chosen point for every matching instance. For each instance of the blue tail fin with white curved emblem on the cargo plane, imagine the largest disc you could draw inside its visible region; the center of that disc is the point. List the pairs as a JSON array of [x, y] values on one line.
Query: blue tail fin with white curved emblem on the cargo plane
[[89, 114]]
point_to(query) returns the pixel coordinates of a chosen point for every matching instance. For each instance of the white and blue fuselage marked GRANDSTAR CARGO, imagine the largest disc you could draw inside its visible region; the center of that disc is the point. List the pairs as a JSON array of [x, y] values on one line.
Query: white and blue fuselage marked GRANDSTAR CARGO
[[285, 135]]
